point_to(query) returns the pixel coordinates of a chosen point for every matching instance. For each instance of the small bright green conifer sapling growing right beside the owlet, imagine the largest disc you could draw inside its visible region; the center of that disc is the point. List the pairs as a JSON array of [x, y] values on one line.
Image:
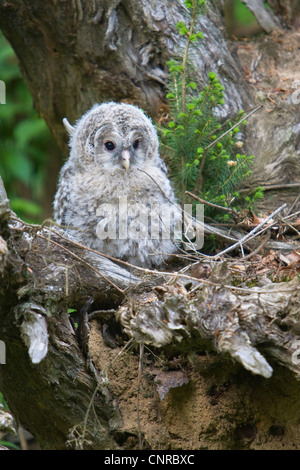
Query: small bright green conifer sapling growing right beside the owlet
[[199, 160]]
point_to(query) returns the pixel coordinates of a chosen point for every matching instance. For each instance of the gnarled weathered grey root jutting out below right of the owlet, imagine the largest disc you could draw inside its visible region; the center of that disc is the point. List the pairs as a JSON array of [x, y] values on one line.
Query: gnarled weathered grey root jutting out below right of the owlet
[[245, 325]]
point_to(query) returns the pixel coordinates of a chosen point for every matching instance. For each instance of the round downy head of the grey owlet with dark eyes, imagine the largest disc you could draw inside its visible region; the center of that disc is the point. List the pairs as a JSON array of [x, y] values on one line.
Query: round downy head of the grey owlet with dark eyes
[[112, 136]]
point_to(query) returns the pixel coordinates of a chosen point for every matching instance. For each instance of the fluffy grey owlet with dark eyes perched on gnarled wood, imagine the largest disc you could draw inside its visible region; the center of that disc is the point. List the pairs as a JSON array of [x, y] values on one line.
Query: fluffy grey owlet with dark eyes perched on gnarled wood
[[114, 195]]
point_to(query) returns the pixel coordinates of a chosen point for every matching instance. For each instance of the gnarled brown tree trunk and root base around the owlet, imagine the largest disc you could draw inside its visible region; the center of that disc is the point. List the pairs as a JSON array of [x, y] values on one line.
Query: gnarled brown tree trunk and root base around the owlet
[[82, 388]]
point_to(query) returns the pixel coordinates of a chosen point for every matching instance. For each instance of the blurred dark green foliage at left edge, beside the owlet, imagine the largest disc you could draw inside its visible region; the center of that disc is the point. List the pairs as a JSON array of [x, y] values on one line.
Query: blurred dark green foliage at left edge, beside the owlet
[[24, 141]]
